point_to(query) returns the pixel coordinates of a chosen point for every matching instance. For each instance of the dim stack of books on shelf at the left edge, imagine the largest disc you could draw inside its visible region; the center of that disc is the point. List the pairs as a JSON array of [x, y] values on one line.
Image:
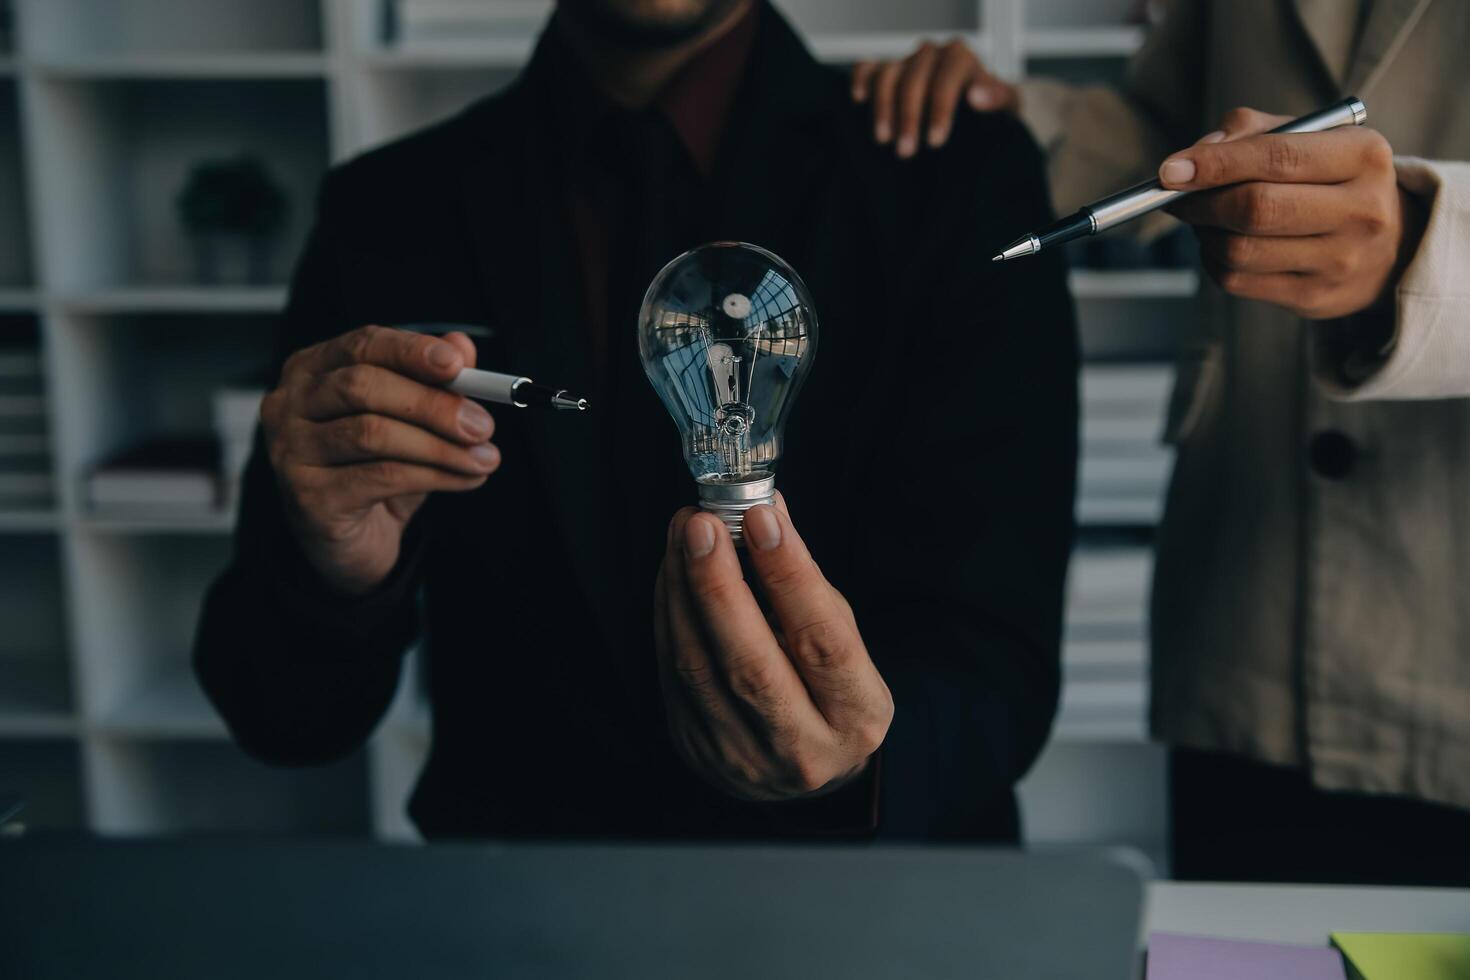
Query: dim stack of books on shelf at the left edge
[[26, 458]]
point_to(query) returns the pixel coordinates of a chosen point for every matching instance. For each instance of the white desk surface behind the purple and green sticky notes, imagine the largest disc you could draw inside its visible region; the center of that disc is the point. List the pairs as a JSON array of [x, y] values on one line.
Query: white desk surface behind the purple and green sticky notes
[[1302, 913]]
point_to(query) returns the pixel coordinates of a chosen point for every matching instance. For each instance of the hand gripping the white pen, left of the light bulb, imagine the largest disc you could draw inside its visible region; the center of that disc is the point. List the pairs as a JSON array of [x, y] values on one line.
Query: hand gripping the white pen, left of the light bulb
[[359, 431]]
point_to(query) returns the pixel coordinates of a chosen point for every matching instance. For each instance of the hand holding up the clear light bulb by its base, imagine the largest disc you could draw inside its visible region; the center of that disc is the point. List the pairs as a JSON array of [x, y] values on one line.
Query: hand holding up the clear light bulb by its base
[[764, 710]]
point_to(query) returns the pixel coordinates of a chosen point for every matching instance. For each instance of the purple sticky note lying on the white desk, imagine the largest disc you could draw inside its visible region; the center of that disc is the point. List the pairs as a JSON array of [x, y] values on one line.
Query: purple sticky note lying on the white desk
[[1174, 957]]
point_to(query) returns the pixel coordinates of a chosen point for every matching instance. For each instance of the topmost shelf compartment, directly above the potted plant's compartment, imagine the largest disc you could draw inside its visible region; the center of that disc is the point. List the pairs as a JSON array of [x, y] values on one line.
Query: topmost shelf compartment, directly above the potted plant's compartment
[[85, 29]]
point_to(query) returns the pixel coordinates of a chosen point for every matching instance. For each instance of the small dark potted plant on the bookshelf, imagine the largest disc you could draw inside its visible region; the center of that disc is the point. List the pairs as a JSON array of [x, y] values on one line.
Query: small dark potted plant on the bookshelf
[[234, 211]]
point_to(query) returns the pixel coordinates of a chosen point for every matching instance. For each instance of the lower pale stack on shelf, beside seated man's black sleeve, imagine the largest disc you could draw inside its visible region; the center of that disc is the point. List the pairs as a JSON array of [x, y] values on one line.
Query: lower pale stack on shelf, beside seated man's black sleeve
[[1105, 656]]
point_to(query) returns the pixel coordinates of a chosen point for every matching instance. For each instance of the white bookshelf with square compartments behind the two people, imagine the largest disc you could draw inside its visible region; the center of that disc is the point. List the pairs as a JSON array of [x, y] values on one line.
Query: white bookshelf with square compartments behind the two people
[[104, 108]]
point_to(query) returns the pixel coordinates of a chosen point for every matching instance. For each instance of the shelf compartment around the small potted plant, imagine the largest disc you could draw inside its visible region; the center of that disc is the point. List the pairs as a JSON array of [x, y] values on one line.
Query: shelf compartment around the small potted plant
[[115, 154]]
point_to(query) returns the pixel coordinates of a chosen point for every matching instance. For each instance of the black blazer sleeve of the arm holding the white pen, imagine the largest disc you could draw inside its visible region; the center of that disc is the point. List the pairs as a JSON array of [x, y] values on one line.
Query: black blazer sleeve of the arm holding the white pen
[[301, 674]]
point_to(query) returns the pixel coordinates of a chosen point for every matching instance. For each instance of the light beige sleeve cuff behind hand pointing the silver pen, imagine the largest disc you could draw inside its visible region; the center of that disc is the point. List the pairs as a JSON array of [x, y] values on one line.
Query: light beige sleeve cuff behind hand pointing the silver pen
[[1425, 353]]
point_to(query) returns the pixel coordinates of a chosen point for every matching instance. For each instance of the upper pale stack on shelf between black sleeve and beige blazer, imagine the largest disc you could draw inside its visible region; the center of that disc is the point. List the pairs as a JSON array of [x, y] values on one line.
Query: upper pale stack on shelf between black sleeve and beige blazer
[[1125, 465]]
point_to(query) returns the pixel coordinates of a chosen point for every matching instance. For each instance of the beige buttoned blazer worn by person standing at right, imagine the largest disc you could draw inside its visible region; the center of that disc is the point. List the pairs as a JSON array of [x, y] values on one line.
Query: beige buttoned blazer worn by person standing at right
[[1312, 597]]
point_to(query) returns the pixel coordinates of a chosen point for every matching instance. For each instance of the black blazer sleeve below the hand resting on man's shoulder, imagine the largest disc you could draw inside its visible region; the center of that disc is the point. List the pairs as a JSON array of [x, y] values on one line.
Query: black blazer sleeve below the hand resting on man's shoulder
[[964, 563]]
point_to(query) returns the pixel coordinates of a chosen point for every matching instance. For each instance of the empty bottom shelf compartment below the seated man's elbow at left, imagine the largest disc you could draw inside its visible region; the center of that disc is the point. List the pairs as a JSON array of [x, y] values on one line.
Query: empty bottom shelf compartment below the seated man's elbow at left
[[151, 787]]
